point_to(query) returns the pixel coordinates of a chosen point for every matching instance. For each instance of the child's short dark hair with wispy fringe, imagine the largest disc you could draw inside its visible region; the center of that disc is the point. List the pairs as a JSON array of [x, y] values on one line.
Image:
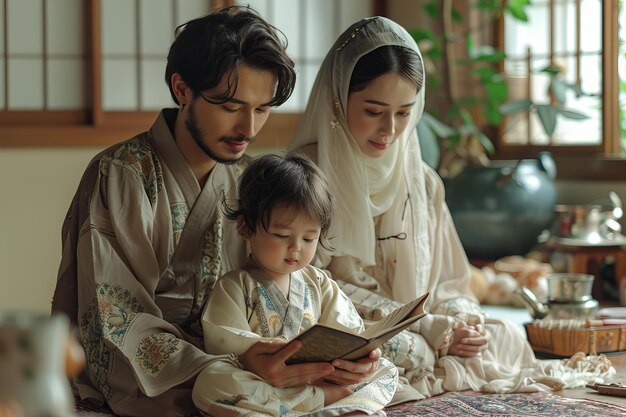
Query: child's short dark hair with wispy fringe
[[292, 182]]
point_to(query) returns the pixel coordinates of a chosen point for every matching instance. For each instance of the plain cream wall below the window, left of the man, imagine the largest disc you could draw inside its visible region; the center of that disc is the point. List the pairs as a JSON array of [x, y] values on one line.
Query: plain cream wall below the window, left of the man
[[36, 188]]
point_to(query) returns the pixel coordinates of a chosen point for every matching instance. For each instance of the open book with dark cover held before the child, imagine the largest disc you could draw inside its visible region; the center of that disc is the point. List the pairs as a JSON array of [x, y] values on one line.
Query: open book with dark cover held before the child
[[322, 343]]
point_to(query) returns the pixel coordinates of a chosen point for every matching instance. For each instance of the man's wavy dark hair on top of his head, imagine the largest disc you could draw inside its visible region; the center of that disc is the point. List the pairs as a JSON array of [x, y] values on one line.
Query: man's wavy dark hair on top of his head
[[211, 47]]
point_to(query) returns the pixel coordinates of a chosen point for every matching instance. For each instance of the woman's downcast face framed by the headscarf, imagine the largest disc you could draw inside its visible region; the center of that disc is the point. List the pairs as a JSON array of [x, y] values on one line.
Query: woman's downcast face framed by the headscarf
[[378, 114]]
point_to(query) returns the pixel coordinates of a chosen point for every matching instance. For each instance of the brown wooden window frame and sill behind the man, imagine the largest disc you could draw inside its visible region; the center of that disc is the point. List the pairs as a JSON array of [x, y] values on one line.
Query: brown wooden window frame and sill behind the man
[[94, 127]]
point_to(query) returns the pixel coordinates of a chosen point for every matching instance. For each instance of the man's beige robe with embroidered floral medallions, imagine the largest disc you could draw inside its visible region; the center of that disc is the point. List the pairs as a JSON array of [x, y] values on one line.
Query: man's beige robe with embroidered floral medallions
[[142, 250]]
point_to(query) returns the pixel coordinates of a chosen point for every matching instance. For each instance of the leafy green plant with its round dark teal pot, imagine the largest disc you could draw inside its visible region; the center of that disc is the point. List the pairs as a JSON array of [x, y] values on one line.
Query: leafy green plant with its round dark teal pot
[[499, 207]]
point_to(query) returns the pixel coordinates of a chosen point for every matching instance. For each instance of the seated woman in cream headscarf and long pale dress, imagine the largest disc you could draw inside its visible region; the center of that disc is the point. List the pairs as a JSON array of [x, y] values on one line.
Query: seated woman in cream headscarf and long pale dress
[[394, 238]]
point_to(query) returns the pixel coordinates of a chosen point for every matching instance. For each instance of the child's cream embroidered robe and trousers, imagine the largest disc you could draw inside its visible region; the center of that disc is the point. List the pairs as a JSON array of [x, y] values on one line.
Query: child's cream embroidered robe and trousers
[[245, 307]]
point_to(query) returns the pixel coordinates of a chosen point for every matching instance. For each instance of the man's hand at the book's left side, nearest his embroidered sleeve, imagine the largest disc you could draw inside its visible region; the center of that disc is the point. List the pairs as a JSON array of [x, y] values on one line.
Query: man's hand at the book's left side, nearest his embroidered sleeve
[[267, 360]]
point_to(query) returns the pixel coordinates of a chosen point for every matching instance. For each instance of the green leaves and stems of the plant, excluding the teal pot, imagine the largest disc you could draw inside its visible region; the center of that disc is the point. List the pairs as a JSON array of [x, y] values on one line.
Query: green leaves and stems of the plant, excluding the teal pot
[[456, 125]]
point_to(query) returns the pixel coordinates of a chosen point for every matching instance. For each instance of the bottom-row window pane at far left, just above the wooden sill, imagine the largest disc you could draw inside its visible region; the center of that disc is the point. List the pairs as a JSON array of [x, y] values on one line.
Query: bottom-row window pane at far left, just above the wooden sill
[[26, 86]]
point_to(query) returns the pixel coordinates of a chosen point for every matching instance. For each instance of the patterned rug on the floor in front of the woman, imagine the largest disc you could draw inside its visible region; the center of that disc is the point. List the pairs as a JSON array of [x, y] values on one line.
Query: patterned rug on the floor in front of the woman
[[470, 403]]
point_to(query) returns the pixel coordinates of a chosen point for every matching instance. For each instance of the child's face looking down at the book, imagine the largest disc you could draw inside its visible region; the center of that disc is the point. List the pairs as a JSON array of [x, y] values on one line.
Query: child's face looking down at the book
[[288, 245]]
